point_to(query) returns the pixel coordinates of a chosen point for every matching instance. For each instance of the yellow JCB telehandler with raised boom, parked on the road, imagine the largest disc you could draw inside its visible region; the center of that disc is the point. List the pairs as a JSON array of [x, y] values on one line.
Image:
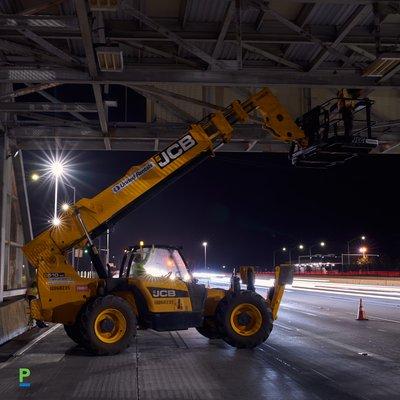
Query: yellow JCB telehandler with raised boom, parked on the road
[[103, 313]]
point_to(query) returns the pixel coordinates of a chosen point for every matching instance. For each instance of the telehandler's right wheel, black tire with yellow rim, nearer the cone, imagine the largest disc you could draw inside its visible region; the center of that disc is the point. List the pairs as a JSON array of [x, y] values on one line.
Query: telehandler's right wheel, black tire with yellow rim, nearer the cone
[[244, 319]]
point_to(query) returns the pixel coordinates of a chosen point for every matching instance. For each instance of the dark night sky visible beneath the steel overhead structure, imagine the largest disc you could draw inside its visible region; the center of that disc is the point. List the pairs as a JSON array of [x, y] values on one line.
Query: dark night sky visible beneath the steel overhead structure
[[243, 205]]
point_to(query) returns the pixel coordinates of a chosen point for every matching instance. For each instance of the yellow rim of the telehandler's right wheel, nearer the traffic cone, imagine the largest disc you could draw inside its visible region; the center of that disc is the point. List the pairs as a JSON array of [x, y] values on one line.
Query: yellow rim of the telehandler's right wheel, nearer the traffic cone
[[246, 319]]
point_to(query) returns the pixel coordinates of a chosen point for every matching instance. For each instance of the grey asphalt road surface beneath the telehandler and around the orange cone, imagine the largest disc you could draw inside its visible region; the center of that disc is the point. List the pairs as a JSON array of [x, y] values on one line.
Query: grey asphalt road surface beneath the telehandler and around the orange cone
[[317, 350]]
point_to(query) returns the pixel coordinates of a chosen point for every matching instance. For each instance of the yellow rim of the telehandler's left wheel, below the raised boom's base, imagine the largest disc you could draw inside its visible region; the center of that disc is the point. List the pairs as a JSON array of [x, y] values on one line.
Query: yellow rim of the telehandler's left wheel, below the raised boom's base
[[110, 325]]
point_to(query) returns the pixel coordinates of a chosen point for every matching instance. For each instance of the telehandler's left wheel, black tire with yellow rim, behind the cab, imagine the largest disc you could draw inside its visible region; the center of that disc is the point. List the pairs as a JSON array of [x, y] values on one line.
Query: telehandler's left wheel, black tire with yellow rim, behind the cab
[[108, 325]]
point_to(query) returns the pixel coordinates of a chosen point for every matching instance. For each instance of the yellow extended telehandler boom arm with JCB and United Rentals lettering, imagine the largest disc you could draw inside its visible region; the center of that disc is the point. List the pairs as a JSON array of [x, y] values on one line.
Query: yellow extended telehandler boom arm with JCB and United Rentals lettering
[[93, 216]]
